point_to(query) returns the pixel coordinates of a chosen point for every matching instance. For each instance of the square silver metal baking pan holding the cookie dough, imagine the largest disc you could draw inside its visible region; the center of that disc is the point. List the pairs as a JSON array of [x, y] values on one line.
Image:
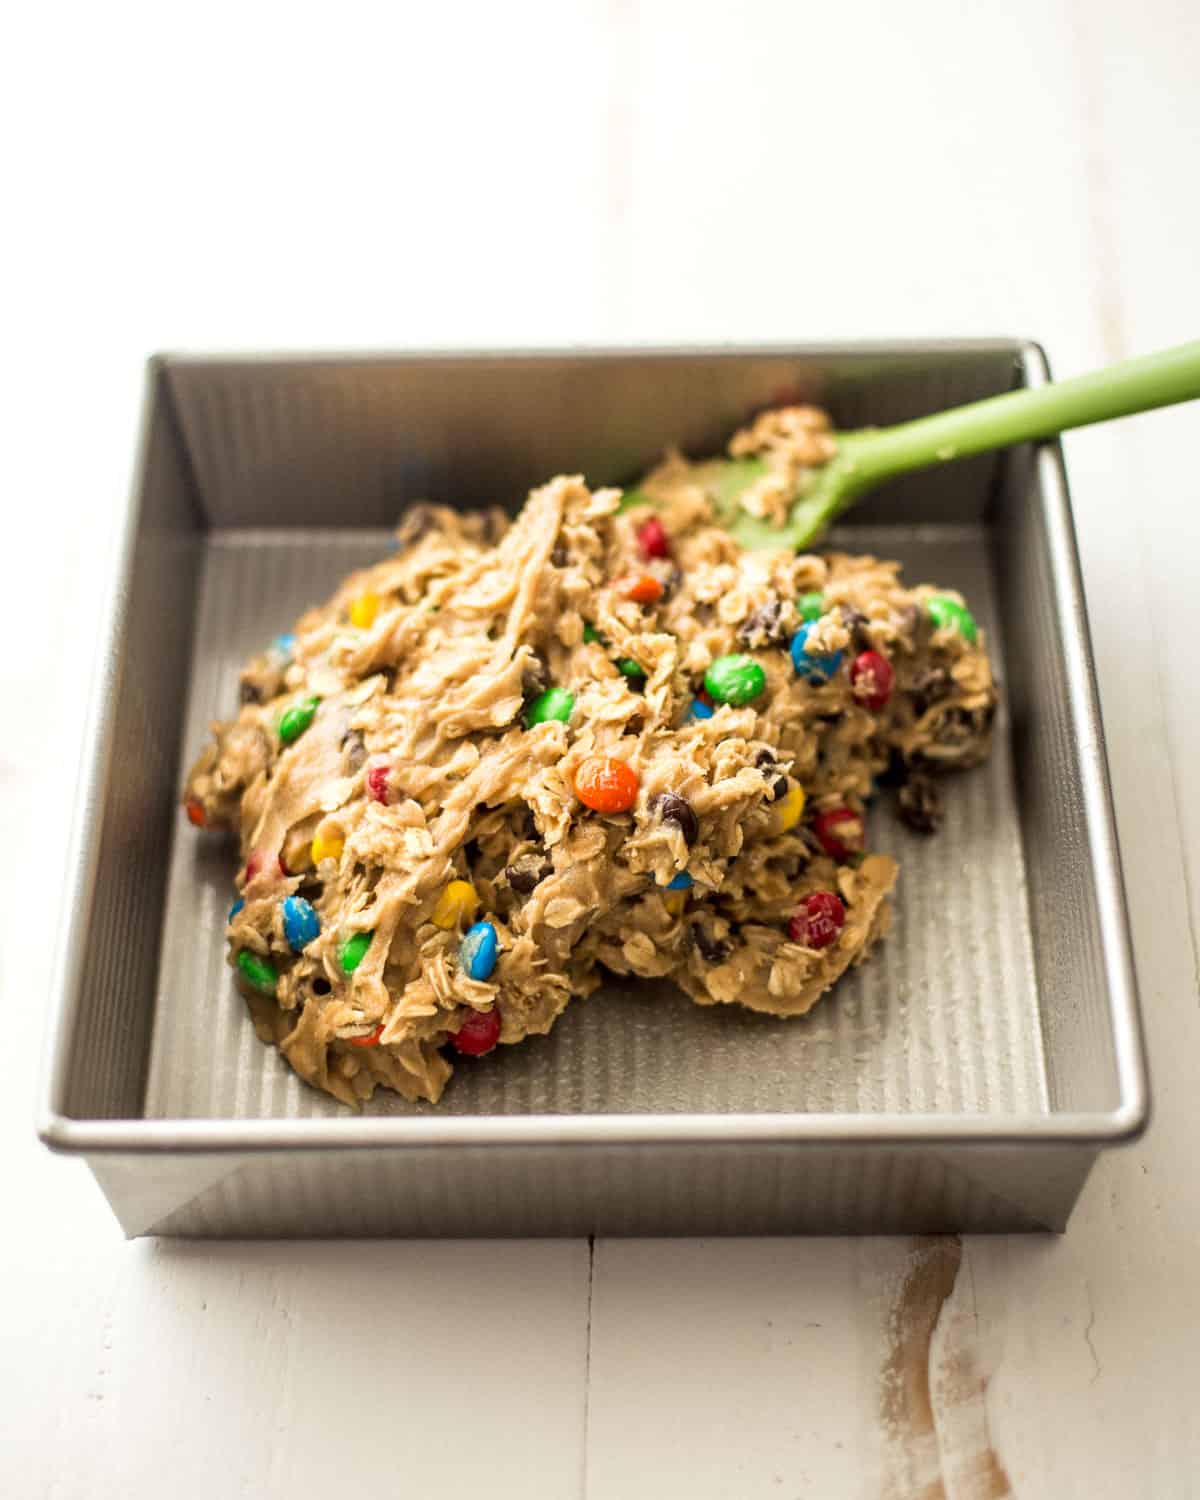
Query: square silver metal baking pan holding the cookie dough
[[965, 1079]]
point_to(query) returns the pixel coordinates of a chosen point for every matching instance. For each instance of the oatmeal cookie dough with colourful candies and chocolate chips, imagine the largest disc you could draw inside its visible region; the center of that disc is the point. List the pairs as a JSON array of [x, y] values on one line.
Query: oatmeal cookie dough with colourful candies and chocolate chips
[[518, 755]]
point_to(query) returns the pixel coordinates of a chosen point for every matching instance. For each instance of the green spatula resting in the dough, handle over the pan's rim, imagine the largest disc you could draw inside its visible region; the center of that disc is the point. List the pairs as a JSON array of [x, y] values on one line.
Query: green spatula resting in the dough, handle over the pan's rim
[[872, 455]]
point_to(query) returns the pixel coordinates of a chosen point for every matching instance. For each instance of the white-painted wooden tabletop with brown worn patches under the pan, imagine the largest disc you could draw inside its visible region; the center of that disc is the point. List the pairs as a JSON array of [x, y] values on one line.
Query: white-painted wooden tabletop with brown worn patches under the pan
[[289, 176]]
